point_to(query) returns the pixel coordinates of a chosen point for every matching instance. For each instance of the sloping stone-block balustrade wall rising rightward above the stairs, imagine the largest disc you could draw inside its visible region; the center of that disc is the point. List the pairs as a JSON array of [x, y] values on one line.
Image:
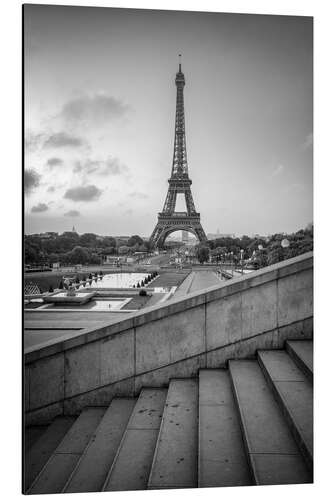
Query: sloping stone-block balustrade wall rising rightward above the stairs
[[175, 339]]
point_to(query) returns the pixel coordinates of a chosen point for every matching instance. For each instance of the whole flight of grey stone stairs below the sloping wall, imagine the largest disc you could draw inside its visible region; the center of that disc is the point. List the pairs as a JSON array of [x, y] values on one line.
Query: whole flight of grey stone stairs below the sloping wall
[[250, 424]]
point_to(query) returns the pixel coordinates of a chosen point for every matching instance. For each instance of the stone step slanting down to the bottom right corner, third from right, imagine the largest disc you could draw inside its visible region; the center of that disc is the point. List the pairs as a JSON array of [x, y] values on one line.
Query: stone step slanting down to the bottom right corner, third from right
[[272, 451]]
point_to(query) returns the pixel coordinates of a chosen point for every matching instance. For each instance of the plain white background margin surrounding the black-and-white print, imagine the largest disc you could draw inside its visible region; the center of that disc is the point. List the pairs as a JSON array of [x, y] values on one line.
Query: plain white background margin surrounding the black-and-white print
[[10, 33]]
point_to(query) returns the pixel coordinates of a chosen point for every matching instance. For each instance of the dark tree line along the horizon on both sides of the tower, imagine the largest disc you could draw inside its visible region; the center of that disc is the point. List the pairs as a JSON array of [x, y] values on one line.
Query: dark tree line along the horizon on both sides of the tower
[[89, 248]]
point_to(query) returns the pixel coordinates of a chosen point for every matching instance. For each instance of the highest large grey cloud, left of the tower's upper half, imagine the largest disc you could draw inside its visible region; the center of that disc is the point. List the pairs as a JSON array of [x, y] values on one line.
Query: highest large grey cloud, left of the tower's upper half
[[96, 109]]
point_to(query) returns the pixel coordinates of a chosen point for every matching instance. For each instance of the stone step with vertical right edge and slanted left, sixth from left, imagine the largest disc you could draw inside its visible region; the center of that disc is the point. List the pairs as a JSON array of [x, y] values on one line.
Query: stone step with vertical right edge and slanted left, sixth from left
[[176, 454]]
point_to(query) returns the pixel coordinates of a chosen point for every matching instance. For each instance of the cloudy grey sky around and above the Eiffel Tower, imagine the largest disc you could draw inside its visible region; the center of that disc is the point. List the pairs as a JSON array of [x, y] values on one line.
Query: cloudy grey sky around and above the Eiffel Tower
[[100, 107]]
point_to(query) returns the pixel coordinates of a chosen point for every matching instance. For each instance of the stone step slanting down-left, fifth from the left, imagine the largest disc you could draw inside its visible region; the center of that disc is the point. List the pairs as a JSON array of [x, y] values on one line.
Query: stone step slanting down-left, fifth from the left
[[132, 463]]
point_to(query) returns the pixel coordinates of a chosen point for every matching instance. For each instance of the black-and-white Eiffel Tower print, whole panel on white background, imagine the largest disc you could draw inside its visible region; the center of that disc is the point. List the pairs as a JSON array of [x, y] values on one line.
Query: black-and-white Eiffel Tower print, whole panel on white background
[[168, 239]]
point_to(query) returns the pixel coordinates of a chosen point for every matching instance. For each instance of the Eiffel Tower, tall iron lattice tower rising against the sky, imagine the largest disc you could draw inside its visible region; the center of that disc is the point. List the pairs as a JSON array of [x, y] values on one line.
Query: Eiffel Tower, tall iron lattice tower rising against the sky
[[169, 220]]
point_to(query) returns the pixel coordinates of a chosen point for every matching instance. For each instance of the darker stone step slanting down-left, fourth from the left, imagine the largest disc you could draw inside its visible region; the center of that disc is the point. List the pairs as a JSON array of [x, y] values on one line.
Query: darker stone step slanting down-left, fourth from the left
[[94, 465]]
